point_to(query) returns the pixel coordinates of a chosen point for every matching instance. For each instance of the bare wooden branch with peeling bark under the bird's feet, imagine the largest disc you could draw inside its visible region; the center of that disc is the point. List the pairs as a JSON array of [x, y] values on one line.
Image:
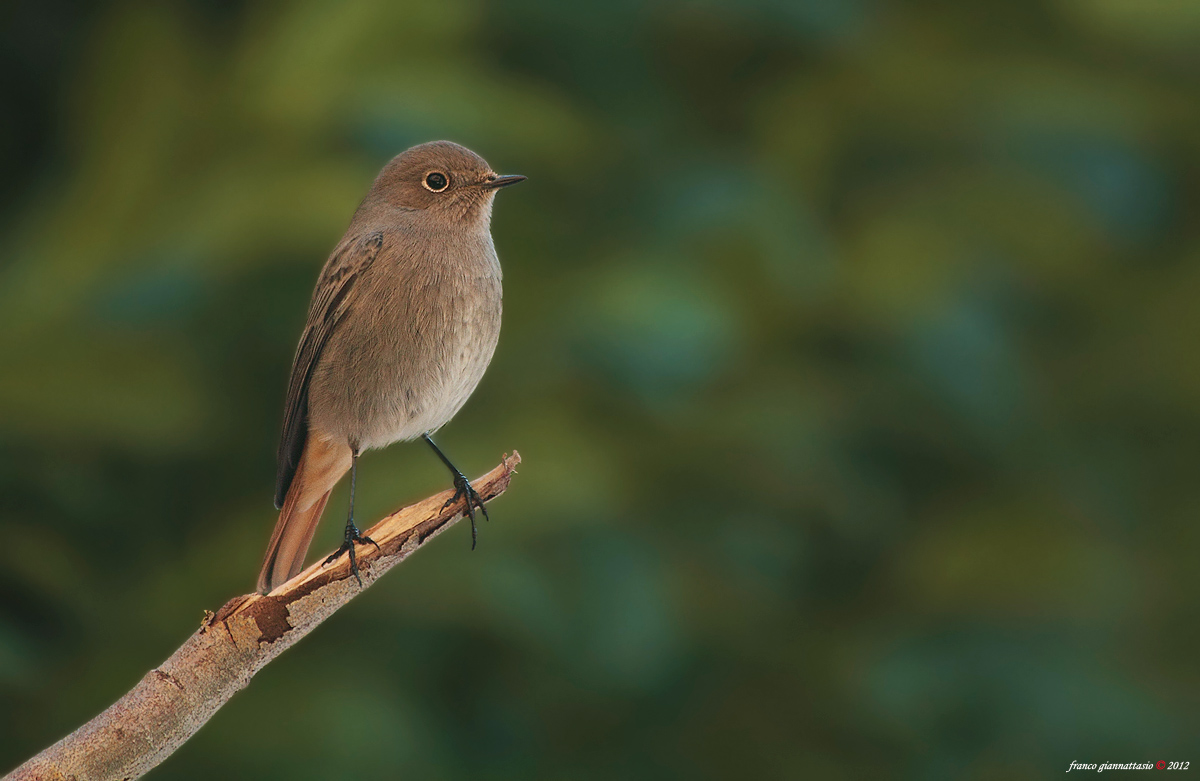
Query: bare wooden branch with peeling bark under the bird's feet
[[175, 700]]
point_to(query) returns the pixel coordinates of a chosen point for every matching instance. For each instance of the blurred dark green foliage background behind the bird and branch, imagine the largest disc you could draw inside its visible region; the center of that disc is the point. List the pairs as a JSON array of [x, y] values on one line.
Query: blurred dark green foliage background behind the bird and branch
[[853, 349]]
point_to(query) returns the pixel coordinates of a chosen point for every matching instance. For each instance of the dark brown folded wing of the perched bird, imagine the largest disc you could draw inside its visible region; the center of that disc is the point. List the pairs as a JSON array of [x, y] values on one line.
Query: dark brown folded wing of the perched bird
[[331, 303]]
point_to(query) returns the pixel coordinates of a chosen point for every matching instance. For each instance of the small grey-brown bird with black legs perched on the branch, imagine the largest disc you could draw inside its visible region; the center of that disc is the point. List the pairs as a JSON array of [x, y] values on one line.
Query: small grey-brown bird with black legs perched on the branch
[[401, 328]]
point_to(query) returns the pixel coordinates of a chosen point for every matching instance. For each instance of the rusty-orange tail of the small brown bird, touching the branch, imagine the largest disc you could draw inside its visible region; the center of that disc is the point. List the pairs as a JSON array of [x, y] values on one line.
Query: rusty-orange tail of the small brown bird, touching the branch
[[321, 467]]
